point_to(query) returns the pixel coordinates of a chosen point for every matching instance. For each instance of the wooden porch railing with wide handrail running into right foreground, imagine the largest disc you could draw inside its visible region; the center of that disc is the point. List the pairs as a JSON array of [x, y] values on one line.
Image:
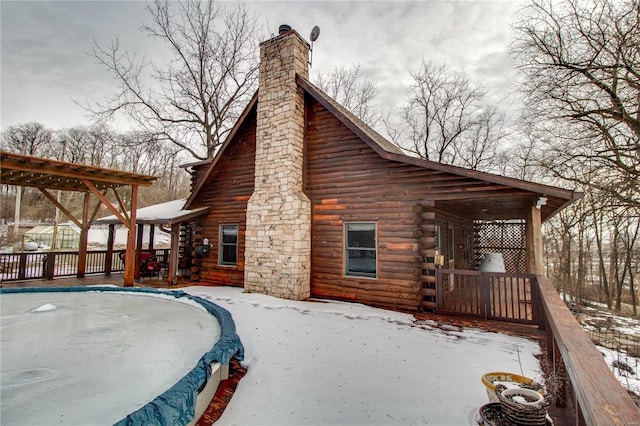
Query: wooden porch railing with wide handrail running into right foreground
[[589, 391]]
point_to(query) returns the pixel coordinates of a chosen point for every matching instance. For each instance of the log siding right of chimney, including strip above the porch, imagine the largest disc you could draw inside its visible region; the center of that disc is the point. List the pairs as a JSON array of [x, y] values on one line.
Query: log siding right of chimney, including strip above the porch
[[346, 180]]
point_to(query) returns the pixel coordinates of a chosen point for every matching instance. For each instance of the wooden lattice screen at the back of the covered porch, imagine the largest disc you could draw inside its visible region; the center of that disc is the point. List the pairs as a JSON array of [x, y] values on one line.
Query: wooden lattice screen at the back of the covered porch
[[507, 237]]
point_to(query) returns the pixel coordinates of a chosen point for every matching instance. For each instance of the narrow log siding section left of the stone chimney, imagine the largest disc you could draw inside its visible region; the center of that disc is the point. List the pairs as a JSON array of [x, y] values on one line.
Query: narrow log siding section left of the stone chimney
[[227, 191]]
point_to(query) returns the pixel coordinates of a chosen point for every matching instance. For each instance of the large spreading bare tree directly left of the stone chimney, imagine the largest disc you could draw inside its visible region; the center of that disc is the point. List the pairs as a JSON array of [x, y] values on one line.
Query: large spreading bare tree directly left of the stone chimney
[[193, 99]]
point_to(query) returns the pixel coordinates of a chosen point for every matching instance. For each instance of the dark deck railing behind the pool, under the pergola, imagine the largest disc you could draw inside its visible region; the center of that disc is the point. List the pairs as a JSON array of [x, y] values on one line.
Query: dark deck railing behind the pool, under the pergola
[[54, 264]]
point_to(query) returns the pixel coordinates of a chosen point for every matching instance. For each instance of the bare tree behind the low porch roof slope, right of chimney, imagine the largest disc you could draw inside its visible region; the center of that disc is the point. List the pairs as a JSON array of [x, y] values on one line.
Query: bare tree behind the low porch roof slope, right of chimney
[[446, 119]]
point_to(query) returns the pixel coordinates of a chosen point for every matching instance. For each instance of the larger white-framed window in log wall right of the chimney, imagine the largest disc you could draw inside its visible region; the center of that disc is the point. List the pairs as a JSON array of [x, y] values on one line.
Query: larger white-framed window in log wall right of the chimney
[[361, 250]]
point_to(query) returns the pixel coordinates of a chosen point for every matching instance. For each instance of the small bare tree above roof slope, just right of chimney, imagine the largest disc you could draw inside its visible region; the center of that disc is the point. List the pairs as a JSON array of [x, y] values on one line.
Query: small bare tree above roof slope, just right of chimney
[[351, 90]]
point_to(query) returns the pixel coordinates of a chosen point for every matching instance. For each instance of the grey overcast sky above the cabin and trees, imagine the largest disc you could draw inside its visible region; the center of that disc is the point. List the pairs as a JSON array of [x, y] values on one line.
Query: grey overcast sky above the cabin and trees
[[45, 65]]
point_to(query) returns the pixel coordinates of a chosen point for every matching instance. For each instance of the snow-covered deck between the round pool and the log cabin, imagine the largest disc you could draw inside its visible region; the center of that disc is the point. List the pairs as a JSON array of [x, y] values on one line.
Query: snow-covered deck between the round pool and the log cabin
[[332, 363]]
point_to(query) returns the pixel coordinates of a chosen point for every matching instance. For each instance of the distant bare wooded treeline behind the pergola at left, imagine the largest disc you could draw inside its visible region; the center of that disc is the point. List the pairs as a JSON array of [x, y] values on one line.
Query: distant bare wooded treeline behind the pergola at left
[[96, 145]]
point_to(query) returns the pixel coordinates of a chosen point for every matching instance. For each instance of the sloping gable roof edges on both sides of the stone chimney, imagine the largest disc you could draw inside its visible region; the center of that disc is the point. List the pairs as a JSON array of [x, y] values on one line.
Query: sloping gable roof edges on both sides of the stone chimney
[[558, 198]]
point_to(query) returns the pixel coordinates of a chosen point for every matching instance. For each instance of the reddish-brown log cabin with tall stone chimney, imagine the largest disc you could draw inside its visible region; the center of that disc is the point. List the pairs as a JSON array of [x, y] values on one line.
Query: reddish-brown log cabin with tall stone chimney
[[305, 200]]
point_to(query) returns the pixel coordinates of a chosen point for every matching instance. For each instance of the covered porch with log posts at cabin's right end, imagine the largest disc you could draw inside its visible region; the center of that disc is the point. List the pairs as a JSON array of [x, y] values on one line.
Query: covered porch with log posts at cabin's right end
[[495, 218]]
